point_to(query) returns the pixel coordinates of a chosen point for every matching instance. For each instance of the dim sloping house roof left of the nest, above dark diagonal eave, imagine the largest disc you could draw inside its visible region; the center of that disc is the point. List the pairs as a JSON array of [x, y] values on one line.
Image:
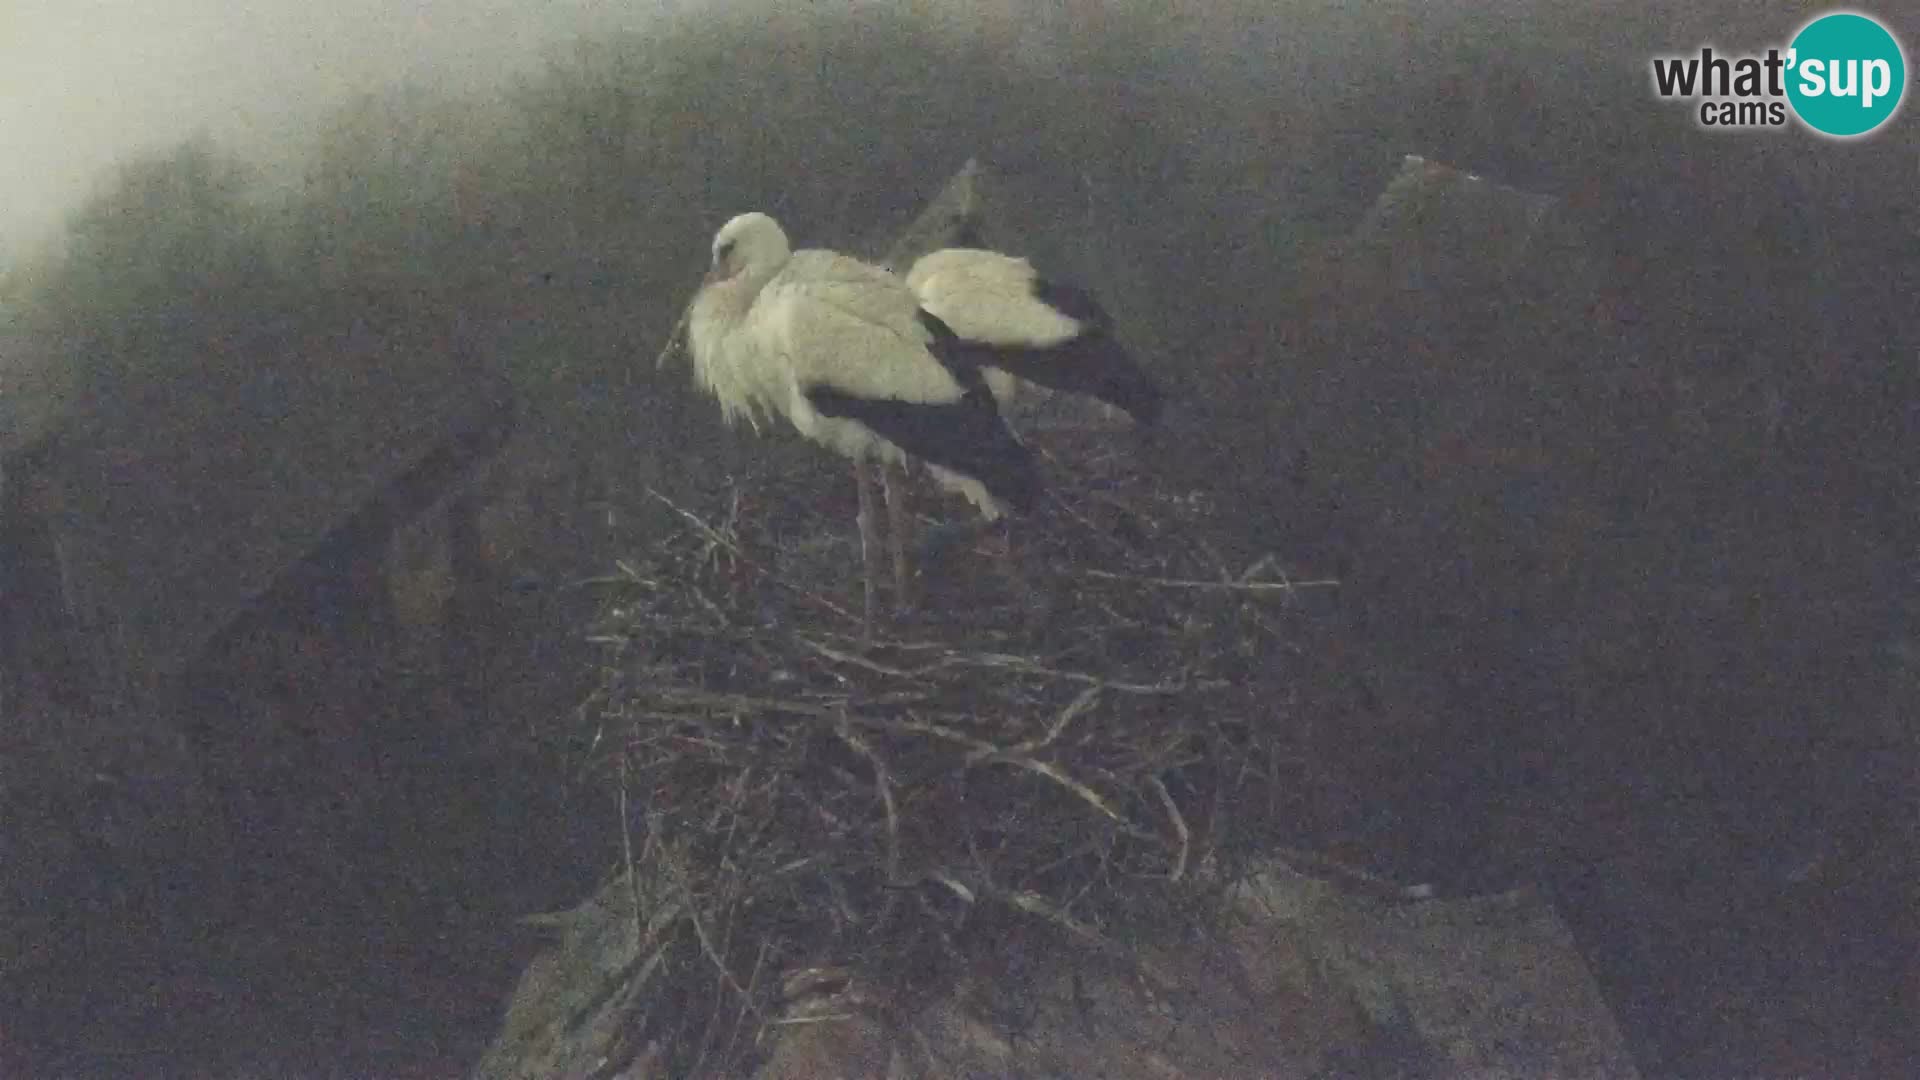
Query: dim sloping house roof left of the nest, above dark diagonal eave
[[187, 495]]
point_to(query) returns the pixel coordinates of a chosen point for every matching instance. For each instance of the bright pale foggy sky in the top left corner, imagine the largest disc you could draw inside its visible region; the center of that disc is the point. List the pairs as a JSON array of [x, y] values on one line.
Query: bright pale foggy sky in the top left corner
[[89, 84]]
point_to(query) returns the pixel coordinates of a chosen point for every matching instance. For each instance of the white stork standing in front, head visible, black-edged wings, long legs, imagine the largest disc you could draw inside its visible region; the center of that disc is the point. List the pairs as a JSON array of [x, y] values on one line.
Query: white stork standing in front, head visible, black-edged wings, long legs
[[844, 353]]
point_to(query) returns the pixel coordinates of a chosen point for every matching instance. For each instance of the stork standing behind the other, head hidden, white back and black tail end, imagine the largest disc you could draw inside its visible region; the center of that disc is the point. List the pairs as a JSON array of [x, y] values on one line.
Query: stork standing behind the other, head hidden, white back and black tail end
[[1022, 326]]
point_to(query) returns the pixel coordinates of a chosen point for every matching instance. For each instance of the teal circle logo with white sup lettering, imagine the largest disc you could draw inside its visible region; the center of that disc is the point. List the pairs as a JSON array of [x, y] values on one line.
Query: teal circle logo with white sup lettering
[[1846, 76]]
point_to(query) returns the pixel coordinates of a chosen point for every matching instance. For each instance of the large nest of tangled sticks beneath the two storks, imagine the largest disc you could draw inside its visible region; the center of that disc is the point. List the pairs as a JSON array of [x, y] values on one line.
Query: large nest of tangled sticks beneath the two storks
[[1090, 747]]
